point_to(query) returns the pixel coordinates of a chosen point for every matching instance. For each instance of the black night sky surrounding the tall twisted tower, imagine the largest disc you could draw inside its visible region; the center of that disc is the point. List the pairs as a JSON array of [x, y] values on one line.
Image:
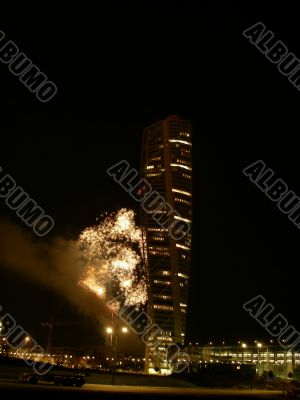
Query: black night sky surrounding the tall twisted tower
[[121, 67]]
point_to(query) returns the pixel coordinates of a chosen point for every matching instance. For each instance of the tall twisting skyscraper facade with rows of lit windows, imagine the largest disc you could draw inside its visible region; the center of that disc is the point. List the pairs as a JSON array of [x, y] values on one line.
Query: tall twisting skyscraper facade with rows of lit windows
[[167, 167]]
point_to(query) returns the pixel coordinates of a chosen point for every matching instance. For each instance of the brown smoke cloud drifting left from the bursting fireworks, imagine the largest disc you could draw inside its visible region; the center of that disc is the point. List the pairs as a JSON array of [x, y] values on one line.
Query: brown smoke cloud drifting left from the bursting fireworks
[[58, 264]]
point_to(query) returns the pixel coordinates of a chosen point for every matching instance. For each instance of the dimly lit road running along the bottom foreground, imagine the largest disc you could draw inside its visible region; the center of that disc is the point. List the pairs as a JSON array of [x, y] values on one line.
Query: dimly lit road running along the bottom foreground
[[103, 392]]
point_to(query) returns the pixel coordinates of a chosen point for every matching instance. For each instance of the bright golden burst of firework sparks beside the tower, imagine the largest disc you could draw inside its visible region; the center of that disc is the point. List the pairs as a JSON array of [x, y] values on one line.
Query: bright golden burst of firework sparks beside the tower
[[113, 255]]
